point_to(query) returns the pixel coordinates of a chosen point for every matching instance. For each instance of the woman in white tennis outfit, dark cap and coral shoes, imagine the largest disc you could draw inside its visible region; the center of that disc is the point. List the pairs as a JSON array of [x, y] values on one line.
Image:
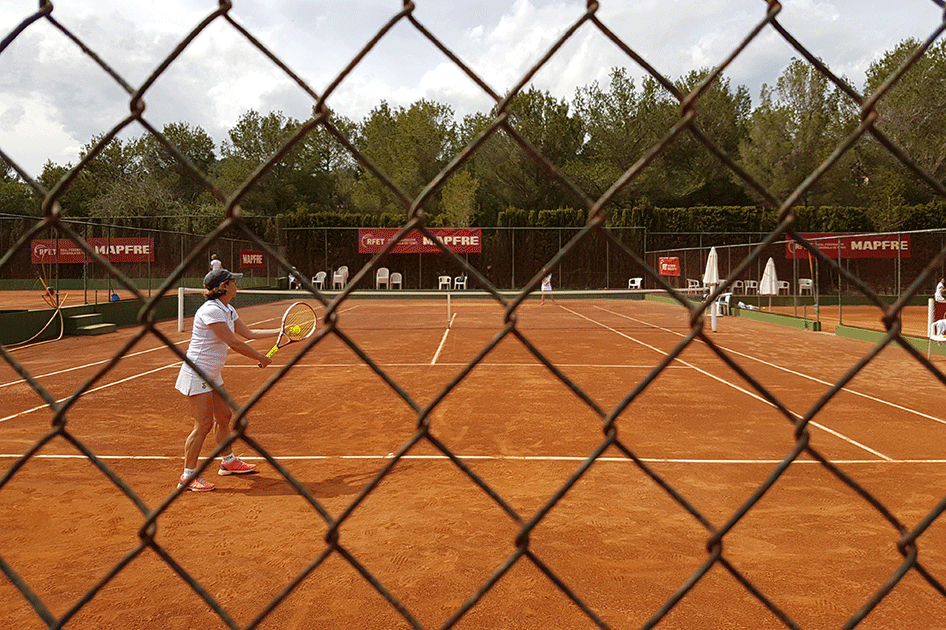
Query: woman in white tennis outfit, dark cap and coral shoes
[[216, 326]]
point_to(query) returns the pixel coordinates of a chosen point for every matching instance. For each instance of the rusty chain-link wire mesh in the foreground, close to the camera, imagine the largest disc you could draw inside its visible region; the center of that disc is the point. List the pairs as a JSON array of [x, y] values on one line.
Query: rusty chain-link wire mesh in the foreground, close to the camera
[[232, 225]]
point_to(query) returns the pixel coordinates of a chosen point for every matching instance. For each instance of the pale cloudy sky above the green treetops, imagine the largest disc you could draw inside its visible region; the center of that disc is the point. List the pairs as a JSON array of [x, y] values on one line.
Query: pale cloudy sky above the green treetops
[[54, 99]]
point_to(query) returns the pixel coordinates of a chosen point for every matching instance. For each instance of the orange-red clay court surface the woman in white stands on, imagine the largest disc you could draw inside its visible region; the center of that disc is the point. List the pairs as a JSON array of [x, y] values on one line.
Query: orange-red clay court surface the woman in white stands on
[[516, 508]]
